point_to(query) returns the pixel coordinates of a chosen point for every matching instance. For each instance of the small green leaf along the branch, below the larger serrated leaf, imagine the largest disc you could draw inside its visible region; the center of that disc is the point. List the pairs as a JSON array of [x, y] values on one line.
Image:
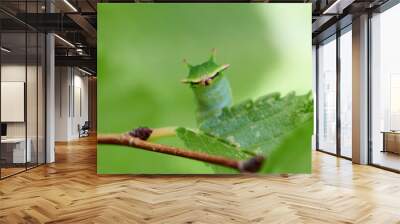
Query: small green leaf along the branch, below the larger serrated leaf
[[197, 141]]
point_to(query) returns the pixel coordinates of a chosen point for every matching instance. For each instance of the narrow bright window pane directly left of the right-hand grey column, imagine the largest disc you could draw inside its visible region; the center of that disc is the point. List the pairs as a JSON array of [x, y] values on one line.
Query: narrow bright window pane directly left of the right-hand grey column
[[346, 94]]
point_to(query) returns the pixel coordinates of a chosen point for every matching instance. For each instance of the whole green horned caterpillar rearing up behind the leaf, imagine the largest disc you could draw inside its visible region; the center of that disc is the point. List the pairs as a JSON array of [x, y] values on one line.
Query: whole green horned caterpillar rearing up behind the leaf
[[210, 87]]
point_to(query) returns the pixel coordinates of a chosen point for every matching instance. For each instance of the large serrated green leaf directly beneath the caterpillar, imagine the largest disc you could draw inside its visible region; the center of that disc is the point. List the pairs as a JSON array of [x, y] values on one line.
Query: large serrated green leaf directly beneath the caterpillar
[[261, 125]]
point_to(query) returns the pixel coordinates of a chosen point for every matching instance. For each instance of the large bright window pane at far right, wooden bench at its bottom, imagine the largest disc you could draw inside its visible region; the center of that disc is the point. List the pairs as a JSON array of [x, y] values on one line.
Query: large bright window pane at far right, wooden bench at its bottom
[[386, 89]]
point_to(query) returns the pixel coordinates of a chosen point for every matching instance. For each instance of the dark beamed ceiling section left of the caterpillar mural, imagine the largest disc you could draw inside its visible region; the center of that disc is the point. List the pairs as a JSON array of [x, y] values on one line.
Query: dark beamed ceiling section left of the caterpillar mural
[[74, 22]]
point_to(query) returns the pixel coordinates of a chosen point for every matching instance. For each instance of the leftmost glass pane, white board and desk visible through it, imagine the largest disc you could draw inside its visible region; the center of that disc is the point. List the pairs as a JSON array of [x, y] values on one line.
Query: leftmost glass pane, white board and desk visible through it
[[14, 152]]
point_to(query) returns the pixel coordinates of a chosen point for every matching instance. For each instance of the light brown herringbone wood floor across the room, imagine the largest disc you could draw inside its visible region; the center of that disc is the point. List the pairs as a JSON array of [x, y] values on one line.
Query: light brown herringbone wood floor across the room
[[69, 191]]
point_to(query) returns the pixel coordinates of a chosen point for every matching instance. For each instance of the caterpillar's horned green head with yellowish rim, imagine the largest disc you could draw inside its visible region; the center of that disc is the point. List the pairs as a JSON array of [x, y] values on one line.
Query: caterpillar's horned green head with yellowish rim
[[204, 74]]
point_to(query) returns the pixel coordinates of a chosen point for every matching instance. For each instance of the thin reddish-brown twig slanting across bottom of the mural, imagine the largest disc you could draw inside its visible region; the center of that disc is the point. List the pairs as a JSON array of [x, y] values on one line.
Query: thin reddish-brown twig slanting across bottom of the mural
[[251, 165]]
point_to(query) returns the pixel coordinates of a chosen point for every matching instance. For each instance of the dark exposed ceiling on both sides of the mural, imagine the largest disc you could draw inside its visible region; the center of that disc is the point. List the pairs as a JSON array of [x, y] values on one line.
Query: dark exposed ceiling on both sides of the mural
[[76, 21]]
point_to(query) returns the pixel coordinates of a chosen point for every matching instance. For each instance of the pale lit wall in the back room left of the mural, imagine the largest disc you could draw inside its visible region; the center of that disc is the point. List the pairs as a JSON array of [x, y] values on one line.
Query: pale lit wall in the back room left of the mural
[[71, 94]]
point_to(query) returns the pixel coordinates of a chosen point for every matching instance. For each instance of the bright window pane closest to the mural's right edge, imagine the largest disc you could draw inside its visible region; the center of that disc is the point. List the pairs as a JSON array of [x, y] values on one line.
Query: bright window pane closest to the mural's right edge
[[327, 97]]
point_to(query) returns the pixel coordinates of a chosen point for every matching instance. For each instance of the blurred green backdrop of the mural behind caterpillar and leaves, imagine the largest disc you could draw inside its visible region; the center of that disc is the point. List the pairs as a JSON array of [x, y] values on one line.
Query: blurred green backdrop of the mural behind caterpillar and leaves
[[140, 53]]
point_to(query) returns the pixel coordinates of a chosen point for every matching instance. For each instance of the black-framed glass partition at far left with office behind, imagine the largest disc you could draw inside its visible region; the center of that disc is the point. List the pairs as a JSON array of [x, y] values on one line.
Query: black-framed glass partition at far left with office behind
[[22, 77]]
